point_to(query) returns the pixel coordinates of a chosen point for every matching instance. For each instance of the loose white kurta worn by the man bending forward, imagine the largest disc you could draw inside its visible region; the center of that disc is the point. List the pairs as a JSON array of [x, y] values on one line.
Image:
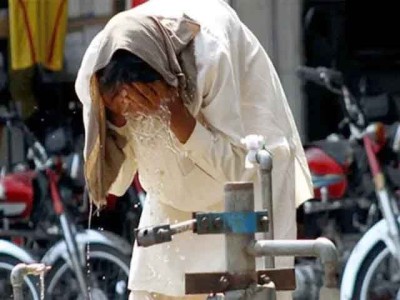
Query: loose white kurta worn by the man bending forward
[[238, 93]]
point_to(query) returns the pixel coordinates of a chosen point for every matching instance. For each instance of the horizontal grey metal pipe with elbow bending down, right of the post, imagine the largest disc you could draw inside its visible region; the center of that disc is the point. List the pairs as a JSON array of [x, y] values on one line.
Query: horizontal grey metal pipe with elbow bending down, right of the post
[[321, 247]]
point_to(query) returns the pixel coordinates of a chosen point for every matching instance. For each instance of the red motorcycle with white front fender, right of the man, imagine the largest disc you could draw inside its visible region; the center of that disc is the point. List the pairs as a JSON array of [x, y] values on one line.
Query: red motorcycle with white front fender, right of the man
[[356, 182]]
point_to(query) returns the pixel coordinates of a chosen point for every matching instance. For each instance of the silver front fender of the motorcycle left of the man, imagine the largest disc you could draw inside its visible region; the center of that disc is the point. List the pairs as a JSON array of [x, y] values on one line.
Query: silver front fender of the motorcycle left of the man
[[59, 250]]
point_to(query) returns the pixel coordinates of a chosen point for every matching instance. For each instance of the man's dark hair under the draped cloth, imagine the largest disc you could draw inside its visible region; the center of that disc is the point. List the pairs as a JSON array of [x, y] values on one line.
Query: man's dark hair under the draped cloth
[[124, 68]]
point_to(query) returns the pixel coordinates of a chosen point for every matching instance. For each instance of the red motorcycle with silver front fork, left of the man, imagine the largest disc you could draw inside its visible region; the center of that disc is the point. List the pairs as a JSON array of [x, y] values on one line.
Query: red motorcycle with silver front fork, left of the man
[[36, 206]]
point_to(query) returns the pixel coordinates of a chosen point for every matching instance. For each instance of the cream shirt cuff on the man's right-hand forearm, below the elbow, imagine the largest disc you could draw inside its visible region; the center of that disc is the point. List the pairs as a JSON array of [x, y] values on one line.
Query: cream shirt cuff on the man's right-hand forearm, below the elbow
[[199, 141]]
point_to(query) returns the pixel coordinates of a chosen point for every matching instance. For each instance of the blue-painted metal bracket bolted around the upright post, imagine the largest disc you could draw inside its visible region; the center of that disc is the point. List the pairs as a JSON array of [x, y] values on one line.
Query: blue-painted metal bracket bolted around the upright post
[[246, 222]]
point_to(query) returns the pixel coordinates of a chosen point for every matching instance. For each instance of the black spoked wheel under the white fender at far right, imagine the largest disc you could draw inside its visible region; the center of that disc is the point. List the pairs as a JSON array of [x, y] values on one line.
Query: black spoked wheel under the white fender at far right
[[379, 276]]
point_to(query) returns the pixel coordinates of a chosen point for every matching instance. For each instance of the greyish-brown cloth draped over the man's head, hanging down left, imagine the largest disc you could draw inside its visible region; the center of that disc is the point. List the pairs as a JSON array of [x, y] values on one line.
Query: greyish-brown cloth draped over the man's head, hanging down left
[[167, 46]]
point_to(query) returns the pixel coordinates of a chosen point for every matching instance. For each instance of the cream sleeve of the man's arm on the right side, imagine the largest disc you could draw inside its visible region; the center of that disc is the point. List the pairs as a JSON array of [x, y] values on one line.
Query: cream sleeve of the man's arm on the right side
[[217, 148]]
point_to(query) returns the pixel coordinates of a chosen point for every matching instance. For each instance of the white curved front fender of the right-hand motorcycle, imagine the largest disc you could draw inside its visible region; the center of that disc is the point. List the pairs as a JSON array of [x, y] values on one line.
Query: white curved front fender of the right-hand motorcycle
[[378, 232]]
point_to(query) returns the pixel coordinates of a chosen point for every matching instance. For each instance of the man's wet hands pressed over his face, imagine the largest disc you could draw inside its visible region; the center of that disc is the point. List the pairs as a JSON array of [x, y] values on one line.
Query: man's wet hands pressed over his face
[[138, 98]]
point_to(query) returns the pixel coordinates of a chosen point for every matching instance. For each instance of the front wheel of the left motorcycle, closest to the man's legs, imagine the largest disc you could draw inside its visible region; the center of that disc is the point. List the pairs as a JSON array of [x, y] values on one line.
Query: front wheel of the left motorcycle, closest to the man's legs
[[107, 276]]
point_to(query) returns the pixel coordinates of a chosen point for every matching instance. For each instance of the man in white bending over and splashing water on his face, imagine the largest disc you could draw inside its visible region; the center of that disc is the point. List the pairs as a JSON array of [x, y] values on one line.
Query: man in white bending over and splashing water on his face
[[210, 84]]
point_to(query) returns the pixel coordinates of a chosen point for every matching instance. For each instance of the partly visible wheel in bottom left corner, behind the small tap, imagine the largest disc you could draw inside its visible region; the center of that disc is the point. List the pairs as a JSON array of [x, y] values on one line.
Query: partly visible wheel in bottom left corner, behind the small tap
[[30, 289]]
